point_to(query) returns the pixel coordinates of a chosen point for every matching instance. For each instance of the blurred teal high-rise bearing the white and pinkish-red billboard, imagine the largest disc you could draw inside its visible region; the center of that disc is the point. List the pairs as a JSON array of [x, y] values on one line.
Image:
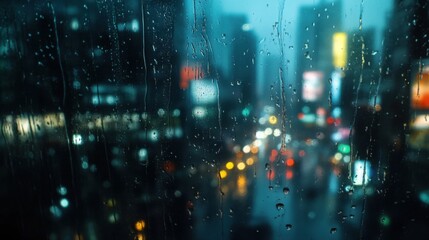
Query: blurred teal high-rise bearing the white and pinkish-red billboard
[[317, 25]]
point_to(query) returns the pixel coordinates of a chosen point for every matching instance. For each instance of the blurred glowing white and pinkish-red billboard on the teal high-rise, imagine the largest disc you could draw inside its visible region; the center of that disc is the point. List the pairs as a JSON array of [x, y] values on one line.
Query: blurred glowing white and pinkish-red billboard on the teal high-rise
[[312, 86]]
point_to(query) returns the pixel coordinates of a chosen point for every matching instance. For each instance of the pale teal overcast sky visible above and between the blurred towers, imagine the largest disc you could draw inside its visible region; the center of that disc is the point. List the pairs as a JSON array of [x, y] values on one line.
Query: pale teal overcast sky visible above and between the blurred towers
[[263, 15]]
